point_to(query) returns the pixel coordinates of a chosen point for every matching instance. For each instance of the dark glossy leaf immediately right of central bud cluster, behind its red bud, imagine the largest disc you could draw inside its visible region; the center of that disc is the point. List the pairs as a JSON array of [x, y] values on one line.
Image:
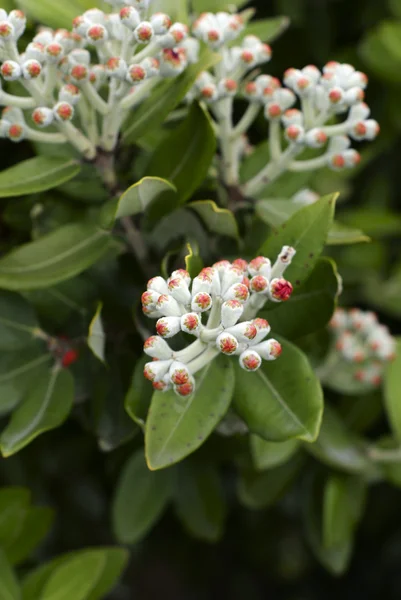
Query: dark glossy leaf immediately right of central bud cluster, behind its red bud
[[311, 306]]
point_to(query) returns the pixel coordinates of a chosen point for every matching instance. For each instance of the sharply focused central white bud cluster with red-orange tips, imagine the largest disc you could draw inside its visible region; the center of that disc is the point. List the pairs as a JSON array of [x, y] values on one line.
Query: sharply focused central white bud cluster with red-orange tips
[[219, 308]]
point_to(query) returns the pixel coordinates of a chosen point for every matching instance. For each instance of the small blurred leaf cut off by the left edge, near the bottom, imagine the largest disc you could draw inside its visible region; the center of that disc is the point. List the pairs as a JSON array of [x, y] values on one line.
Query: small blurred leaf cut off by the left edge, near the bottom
[[14, 505]]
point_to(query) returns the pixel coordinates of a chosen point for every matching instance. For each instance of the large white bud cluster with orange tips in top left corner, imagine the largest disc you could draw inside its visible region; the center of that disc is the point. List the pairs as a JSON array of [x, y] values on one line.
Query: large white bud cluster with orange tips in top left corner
[[123, 55]]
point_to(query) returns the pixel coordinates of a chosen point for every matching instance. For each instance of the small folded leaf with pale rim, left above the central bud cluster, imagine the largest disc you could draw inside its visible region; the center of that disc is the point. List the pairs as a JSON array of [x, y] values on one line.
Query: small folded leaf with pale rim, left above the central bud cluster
[[143, 193]]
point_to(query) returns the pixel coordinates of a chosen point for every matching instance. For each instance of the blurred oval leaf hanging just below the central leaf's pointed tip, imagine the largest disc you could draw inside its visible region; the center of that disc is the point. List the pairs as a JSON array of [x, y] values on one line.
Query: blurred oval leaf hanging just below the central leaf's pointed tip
[[141, 498]]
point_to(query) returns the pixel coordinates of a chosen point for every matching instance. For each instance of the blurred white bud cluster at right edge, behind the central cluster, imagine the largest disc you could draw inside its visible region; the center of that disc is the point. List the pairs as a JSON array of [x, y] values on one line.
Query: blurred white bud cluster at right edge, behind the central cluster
[[362, 341]]
